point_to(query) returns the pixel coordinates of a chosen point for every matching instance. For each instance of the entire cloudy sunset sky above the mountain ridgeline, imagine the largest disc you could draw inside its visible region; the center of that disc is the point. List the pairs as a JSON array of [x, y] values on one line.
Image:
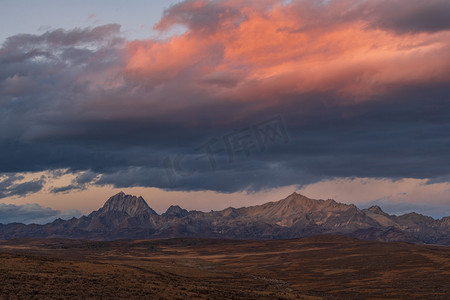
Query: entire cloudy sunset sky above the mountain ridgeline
[[210, 104]]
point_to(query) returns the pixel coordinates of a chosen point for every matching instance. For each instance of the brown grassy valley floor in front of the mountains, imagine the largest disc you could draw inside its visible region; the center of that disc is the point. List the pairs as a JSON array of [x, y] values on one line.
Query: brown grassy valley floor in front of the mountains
[[320, 267]]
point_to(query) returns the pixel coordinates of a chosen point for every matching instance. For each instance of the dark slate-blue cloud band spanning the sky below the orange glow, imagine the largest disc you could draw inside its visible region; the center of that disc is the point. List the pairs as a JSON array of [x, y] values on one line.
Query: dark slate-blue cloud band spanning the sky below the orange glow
[[400, 136]]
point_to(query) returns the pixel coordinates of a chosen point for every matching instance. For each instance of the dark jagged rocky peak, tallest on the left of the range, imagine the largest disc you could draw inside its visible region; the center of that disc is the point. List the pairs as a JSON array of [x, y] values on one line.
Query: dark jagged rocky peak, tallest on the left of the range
[[132, 205]]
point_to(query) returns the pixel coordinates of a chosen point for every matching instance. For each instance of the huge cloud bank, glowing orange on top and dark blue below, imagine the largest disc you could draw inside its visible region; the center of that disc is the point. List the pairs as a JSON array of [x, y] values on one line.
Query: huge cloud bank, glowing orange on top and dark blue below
[[87, 100]]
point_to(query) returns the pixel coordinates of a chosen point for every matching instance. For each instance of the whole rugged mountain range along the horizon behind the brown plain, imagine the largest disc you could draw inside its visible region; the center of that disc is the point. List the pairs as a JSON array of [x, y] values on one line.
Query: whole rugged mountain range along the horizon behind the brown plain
[[129, 217]]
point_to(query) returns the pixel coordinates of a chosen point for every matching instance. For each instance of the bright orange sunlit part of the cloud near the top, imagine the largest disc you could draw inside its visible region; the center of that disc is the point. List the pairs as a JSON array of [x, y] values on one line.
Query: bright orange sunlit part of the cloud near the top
[[244, 52]]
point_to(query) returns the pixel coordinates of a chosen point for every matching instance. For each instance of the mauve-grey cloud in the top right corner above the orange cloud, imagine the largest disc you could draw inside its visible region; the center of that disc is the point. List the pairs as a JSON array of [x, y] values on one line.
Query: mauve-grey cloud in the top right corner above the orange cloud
[[400, 16]]
